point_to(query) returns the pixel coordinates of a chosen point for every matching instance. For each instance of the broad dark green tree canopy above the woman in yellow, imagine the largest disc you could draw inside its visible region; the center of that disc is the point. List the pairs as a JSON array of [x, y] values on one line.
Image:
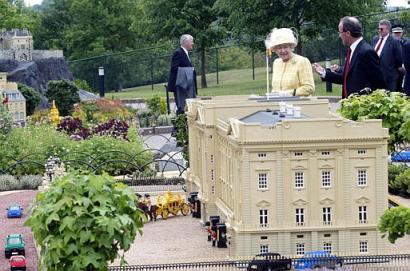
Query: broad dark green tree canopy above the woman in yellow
[[249, 19]]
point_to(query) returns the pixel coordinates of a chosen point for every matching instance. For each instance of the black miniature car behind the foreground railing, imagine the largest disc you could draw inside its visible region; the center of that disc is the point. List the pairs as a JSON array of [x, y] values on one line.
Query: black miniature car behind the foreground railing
[[269, 261]]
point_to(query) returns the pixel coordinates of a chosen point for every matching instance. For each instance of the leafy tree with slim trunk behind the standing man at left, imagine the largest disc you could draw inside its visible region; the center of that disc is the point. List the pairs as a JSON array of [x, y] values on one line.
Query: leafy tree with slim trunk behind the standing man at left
[[163, 19]]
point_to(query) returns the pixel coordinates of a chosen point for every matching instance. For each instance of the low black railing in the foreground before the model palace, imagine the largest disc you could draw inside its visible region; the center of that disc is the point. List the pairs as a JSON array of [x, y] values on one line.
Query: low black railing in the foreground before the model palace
[[369, 262]]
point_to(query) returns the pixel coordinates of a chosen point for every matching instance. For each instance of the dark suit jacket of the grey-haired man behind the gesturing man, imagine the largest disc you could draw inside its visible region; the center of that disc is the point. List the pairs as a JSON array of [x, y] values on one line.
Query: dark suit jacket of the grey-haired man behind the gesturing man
[[391, 61]]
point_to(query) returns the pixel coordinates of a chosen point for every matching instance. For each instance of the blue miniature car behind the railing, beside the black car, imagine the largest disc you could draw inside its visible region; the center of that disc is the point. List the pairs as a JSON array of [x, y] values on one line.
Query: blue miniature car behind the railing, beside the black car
[[318, 259]]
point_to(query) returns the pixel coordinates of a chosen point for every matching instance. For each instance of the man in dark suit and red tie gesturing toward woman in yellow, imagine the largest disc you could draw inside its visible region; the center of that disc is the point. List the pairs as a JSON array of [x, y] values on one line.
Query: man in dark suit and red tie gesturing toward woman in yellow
[[362, 67]]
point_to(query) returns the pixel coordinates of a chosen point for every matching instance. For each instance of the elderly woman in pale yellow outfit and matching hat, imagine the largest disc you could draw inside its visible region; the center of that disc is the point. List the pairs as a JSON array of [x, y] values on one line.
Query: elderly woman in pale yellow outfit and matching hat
[[292, 73]]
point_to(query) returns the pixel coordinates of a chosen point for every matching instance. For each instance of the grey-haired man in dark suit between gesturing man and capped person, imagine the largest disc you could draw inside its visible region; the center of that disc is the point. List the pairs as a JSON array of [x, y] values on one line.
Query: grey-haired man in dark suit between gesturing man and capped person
[[389, 51]]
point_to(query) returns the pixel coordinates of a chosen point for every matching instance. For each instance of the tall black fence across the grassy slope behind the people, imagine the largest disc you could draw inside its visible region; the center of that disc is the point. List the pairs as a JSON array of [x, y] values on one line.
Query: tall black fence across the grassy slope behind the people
[[151, 65]]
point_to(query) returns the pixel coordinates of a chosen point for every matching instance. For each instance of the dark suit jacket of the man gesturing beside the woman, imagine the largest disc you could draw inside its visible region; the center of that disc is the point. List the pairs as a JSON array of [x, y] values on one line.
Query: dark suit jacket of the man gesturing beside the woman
[[364, 71]]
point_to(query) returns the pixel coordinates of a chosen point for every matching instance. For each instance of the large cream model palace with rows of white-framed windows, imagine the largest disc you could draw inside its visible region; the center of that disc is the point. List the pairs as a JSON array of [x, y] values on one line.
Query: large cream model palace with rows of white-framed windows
[[288, 184]]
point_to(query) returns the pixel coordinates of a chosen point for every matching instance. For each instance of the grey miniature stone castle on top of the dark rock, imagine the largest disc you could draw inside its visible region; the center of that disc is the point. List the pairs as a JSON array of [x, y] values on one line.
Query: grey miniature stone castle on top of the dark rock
[[17, 45]]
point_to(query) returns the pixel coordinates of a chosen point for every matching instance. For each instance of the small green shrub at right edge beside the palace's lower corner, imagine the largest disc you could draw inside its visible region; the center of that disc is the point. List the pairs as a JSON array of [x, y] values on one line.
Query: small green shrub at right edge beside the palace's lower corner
[[395, 222]]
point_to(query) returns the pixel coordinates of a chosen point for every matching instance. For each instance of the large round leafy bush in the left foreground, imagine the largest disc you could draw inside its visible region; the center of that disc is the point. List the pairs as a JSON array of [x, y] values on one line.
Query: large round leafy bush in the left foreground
[[84, 221]]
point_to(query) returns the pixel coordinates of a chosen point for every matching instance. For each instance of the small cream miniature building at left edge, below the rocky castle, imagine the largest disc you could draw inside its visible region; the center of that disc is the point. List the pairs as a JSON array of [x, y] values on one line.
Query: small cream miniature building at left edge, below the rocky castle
[[13, 99]]
